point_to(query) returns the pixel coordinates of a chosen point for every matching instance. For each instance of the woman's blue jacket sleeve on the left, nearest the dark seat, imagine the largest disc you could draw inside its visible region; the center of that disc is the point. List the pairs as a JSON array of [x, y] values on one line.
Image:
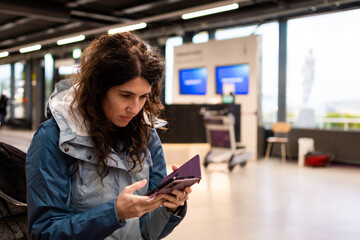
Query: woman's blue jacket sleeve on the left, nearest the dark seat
[[48, 189]]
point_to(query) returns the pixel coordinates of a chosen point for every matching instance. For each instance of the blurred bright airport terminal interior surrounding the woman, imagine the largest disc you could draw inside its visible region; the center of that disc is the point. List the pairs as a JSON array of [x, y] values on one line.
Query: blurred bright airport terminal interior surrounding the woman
[[263, 91]]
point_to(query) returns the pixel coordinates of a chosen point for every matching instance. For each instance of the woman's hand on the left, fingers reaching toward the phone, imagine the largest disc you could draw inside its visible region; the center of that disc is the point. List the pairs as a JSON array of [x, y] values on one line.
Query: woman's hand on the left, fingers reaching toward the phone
[[129, 205]]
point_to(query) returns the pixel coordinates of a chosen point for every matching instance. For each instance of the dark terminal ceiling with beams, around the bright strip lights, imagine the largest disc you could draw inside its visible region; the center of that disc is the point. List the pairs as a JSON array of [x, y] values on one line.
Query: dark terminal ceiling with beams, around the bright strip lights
[[24, 23]]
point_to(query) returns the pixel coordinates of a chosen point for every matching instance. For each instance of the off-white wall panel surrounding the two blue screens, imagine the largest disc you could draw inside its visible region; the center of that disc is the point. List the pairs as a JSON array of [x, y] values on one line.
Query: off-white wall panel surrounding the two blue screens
[[244, 50]]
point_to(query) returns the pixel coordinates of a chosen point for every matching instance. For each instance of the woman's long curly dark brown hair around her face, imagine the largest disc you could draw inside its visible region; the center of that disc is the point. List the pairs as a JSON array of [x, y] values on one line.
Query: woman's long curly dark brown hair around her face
[[109, 61]]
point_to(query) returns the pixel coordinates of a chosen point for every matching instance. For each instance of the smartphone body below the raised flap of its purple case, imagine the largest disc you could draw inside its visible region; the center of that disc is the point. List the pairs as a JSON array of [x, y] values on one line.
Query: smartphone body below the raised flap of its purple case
[[179, 183]]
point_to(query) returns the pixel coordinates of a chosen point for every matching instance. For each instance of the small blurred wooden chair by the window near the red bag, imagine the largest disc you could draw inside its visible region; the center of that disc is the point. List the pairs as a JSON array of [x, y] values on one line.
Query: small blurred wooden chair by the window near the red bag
[[281, 130]]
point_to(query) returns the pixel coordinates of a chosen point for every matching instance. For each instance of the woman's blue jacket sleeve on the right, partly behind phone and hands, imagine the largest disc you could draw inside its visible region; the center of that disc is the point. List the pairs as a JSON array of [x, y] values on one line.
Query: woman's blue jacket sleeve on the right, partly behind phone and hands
[[165, 221]]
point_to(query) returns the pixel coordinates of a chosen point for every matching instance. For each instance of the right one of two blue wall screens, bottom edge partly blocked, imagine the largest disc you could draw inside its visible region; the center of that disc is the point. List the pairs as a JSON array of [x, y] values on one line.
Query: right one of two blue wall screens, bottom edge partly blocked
[[233, 74]]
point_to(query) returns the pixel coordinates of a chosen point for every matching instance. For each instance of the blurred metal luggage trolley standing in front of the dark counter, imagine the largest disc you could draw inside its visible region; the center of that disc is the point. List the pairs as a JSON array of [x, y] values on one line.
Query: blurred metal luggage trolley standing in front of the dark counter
[[220, 134]]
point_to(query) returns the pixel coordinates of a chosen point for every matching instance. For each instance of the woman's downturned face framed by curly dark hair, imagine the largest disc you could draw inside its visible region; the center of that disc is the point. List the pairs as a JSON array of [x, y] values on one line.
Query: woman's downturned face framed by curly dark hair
[[123, 102]]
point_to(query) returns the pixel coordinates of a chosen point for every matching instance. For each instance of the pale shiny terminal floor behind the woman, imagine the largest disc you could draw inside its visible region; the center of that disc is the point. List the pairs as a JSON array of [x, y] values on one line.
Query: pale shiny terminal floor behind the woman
[[263, 200]]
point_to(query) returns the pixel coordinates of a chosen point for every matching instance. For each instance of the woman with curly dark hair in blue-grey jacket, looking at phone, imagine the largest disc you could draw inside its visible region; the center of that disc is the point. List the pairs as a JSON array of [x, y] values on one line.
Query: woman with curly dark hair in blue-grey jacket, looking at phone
[[90, 165]]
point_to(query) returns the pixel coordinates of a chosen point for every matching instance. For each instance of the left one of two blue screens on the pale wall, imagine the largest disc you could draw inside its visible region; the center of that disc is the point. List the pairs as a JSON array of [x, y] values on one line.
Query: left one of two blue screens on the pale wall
[[193, 81]]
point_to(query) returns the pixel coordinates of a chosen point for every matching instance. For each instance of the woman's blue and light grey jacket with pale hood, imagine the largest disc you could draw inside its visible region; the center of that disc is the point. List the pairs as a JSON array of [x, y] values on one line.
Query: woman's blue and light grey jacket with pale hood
[[66, 199]]
